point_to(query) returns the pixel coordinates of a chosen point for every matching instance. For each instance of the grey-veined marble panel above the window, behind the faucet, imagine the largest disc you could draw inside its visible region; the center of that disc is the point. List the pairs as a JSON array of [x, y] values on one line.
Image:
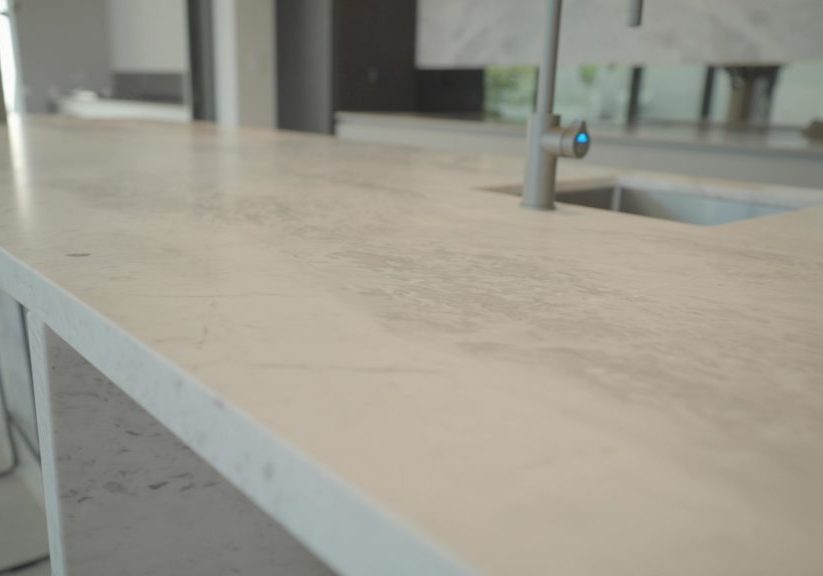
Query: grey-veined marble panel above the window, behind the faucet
[[475, 33]]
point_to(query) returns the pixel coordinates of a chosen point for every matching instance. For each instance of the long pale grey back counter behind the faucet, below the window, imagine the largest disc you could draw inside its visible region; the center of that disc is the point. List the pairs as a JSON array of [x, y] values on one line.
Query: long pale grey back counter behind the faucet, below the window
[[782, 141]]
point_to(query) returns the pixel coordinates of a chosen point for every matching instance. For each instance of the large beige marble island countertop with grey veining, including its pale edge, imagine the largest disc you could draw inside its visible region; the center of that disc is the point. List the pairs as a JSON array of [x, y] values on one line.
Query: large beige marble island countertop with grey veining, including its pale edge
[[418, 377]]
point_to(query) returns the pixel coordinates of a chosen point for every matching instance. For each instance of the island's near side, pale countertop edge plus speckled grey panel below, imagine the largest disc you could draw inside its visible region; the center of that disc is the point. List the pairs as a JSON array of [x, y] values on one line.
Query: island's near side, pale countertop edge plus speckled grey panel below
[[200, 489]]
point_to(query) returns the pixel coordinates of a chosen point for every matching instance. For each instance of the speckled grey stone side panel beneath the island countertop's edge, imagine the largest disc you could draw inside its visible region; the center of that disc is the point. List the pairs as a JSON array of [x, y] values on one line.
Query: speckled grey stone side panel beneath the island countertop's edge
[[136, 502]]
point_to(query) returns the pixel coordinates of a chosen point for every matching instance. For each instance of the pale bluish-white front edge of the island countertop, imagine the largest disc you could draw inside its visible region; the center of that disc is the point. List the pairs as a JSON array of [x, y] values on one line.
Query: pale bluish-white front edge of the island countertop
[[331, 518]]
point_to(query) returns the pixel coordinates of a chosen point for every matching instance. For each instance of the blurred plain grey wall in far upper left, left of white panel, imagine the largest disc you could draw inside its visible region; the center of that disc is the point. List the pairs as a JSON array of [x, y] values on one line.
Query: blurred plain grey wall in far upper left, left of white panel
[[63, 46]]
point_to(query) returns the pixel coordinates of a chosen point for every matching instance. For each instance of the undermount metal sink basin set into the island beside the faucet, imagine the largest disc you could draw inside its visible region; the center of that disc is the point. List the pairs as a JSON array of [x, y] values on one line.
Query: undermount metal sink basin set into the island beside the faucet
[[677, 201]]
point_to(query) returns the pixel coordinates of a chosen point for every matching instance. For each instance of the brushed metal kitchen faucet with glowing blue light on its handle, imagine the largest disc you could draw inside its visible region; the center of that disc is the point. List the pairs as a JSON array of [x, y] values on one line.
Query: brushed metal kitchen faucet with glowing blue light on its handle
[[547, 139]]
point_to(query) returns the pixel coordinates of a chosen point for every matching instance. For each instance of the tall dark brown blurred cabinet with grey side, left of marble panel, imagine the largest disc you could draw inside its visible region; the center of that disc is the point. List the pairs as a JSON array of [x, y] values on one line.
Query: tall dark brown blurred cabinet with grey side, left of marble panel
[[356, 55]]
